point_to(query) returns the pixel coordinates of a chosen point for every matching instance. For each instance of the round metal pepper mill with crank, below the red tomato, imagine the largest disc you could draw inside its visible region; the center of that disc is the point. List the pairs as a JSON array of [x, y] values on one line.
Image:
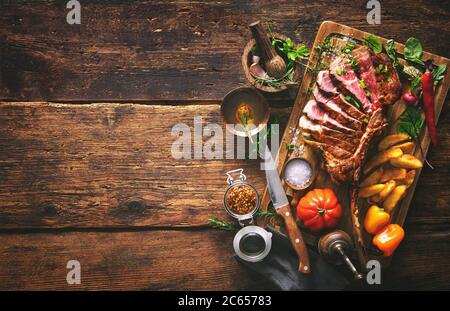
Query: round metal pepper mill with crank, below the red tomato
[[334, 247]]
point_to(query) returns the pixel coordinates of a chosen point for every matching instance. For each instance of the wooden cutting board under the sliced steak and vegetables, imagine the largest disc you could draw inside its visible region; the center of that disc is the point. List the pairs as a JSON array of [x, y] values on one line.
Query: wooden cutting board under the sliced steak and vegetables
[[337, 34]]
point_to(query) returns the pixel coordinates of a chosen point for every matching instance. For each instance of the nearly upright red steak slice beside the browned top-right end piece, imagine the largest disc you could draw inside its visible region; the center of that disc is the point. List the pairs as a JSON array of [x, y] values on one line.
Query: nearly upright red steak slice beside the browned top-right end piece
[[367, 72]]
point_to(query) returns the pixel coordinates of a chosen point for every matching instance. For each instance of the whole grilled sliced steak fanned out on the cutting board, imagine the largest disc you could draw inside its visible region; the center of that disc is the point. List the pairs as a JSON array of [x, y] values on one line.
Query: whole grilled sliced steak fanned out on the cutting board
[[342, 131]]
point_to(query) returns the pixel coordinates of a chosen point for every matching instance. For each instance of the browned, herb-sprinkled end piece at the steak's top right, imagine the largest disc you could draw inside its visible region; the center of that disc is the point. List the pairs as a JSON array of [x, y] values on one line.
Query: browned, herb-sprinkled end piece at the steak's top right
[[388, 81]]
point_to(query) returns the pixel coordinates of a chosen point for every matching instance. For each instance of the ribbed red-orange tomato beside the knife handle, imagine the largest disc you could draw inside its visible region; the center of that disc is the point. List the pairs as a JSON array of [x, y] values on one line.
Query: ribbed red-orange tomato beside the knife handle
[[319, 209]]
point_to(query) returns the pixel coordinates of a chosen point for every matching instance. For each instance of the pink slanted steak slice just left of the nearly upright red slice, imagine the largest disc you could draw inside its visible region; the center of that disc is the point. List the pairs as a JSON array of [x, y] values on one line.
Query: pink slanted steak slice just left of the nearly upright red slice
[[344, 74]]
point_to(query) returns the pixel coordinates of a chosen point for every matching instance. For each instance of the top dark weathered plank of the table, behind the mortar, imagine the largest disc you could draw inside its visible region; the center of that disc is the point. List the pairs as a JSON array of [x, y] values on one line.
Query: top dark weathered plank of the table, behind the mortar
[[172, 50]]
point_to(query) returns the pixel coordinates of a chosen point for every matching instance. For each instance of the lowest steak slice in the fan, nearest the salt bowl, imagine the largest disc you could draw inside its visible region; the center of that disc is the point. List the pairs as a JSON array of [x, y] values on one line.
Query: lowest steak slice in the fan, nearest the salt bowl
[[325, 135]]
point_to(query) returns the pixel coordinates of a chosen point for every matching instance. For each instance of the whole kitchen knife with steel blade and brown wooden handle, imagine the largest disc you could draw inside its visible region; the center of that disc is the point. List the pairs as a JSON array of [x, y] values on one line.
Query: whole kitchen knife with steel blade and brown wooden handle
[[281, 204]]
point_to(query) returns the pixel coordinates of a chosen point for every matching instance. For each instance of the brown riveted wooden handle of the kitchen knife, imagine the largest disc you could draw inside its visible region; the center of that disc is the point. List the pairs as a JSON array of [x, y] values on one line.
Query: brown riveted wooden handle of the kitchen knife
[[296, 238]]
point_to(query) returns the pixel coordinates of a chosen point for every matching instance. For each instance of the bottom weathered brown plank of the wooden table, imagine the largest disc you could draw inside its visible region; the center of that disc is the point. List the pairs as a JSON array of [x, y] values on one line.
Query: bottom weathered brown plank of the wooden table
[[180, 260]]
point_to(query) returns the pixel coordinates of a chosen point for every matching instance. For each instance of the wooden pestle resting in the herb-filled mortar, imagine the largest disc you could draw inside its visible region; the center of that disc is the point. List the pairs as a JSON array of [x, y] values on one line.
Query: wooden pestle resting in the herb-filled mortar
[[274, 63]]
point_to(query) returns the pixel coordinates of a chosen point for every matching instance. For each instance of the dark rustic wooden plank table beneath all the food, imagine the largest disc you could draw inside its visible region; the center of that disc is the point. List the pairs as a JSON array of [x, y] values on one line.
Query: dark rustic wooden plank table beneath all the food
[[86, 170]]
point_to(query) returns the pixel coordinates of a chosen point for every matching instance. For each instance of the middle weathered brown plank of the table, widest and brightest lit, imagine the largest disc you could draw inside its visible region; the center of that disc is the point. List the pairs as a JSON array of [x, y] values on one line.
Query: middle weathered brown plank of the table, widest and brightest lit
[[107, 165]]
